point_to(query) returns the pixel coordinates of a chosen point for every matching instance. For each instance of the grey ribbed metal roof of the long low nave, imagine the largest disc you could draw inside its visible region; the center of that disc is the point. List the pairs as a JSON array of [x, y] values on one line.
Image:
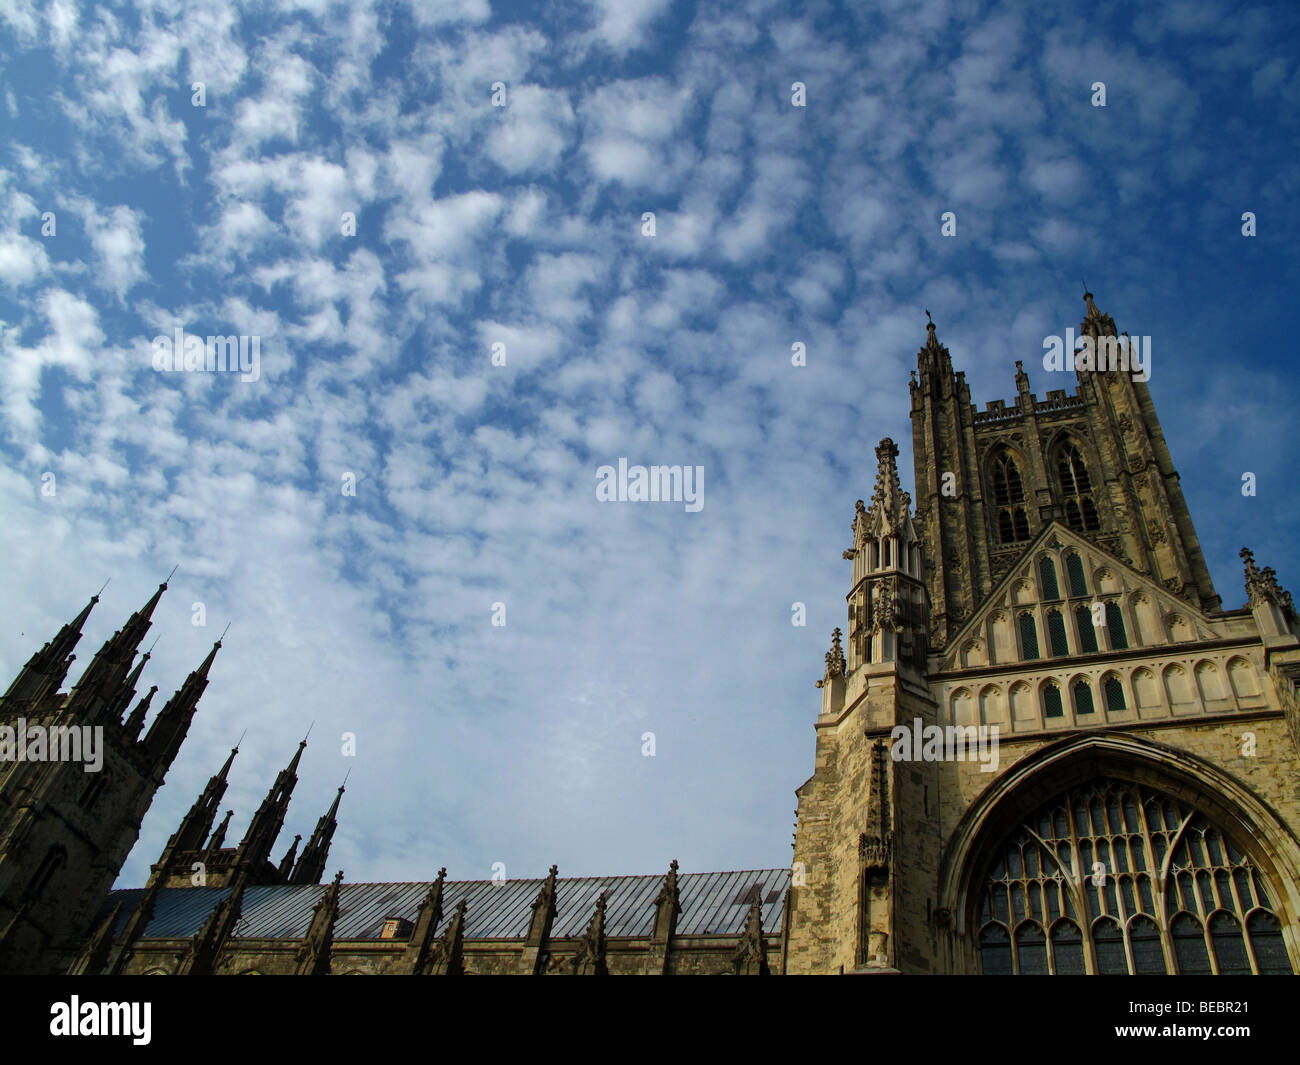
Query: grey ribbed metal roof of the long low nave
[[712, 903]]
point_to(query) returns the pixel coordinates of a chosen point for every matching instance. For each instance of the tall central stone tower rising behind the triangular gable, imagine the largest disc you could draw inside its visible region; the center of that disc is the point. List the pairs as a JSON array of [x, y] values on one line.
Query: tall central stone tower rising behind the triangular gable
[[989, 482]]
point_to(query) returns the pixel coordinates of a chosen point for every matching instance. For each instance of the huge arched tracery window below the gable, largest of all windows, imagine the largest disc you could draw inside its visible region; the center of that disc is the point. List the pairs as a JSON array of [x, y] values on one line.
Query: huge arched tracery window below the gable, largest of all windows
[[1095, 860]]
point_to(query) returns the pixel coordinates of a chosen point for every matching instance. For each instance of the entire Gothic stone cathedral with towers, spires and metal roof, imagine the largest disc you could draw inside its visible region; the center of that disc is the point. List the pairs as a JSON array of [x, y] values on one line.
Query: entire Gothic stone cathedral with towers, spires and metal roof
[[1043, 747]]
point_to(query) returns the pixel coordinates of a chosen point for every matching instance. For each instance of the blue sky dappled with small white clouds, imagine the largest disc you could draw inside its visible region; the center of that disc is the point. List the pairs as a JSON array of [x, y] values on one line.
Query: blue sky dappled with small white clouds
[[435, 219]]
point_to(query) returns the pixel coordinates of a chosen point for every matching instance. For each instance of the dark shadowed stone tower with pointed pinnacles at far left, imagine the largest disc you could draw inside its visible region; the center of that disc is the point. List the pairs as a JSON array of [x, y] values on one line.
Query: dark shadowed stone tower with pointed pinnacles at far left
[[67, 826]]
